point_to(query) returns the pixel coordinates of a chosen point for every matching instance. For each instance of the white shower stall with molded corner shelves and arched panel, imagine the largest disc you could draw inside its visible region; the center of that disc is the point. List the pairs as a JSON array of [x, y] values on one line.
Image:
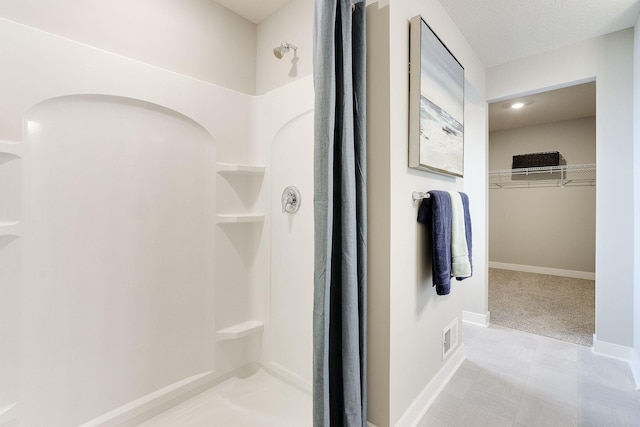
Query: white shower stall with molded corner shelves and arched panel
[[145, 252]]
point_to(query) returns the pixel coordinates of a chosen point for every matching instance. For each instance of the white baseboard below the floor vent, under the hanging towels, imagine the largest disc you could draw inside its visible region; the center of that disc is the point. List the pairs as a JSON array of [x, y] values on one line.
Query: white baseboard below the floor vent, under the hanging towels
[[421, 404]]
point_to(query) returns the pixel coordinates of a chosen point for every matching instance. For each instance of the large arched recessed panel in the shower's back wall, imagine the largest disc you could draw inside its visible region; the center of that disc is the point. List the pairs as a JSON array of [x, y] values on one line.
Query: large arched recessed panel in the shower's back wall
[[117, 288]]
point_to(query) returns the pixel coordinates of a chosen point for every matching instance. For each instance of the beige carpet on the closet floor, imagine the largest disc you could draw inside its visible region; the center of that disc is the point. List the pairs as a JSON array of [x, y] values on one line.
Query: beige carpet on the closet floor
[[553, 306]]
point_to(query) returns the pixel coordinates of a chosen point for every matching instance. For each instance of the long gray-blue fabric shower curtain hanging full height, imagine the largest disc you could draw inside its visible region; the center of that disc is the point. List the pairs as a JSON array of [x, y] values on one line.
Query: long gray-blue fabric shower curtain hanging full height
[[340, 282]]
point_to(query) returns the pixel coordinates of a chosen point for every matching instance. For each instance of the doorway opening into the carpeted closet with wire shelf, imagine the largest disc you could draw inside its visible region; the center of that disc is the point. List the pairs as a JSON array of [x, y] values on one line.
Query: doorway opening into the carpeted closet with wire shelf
[[542, 204]]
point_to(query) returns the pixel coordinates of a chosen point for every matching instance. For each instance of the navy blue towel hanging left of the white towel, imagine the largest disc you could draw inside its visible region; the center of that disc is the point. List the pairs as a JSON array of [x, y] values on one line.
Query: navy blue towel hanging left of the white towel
[[435, 212]]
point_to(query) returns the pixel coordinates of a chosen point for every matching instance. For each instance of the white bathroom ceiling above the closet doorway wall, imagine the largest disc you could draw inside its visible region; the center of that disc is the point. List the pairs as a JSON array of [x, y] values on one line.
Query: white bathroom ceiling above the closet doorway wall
[[505, 30]]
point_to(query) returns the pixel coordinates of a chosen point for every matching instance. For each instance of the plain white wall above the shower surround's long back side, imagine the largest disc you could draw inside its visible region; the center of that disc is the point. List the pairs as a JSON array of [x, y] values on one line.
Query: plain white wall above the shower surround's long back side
[[198, 38]]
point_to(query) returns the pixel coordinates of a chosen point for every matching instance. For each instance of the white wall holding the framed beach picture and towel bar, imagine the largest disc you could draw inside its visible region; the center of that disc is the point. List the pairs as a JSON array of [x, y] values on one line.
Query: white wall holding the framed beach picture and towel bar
[[402, 299]]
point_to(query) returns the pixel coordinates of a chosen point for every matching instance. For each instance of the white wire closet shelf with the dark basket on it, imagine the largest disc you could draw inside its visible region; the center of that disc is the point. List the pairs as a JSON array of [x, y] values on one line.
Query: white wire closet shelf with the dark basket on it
[[547, 176]]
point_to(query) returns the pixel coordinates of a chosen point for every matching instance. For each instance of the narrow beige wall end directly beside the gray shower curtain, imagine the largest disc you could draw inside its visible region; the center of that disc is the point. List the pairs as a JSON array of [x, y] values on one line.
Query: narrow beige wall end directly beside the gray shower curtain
[[378, 183]]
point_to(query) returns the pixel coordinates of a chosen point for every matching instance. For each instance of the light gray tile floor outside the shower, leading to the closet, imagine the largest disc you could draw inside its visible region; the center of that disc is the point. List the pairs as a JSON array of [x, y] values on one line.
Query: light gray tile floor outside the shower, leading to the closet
[[513, 378]]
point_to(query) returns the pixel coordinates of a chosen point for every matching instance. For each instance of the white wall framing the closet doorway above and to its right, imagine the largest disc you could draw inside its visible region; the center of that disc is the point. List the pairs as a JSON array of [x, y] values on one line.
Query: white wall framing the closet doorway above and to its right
[[608, 59]]
